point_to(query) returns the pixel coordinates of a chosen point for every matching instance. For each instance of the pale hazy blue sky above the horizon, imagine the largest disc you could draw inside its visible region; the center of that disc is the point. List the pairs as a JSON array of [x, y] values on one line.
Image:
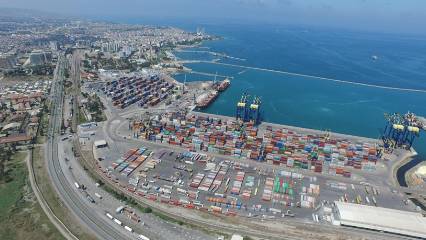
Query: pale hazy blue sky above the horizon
[[372, 15]]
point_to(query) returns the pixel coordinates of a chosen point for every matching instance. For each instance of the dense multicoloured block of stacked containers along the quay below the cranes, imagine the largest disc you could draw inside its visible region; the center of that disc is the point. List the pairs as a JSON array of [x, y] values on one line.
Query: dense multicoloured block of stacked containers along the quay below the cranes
[[276, 146]]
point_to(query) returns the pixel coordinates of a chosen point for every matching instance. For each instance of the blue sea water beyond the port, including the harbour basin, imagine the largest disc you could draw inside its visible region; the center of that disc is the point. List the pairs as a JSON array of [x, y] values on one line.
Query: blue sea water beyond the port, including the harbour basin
[[331, 53]]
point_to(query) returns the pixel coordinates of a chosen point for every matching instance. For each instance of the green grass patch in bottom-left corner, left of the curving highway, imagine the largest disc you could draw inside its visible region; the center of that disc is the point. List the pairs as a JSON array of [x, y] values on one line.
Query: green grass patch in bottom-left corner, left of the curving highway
[[21, 217]]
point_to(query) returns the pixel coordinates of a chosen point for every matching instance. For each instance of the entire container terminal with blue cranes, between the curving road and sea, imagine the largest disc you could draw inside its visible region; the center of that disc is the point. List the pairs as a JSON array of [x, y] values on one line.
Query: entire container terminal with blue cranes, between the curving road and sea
[[241, 167]]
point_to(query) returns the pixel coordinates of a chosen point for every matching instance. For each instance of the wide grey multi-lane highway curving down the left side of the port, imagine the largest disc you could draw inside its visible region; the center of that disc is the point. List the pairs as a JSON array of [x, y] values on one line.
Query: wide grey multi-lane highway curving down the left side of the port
[[80, 207]]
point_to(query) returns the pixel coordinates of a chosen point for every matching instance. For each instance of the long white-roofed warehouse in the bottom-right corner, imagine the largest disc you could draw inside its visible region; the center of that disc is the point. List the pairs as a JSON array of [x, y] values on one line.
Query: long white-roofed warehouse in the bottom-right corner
[[387, 220]]
